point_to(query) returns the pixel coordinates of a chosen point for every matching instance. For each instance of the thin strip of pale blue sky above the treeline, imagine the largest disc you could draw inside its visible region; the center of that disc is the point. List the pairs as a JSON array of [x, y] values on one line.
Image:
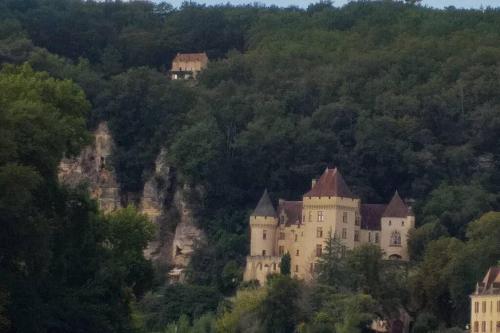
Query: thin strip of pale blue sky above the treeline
[[305, 3]]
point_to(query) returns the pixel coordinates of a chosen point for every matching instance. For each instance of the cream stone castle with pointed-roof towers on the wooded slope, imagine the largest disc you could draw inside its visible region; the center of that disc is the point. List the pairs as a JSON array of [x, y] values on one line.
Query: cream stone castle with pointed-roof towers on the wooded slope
[[329, 208]]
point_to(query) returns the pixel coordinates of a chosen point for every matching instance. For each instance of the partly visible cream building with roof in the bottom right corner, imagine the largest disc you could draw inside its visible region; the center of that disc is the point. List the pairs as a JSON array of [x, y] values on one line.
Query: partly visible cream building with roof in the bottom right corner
[[485, 303]]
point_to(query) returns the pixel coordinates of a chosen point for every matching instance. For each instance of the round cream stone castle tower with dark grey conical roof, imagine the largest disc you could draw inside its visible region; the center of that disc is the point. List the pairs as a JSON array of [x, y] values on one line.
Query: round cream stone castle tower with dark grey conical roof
[[263, 223]]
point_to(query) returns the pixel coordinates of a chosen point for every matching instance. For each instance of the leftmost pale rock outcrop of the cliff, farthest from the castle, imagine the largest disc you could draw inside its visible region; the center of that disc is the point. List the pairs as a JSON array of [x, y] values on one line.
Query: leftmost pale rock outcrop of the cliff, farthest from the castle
[[94, 168]]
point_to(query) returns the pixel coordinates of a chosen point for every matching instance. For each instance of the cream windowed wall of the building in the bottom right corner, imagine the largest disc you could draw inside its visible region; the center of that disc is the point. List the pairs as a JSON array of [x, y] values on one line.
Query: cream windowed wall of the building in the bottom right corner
[[485, 313]]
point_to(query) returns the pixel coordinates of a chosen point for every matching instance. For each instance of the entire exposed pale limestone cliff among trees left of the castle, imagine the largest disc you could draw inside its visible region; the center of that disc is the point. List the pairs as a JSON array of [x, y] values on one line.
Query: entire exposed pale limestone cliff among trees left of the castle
[[163, 200]]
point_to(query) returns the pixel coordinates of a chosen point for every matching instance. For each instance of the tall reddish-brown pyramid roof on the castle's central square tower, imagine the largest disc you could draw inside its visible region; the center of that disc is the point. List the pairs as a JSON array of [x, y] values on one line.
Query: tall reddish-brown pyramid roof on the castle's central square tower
[[330, 184]]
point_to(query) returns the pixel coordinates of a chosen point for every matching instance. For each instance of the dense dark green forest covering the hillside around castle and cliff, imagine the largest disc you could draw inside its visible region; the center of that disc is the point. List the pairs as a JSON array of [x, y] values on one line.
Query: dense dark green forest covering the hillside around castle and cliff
[[397, 95]]
